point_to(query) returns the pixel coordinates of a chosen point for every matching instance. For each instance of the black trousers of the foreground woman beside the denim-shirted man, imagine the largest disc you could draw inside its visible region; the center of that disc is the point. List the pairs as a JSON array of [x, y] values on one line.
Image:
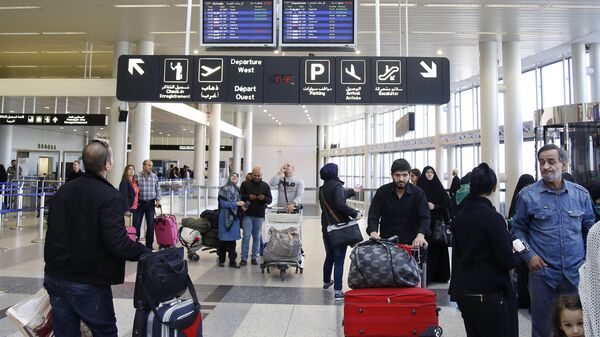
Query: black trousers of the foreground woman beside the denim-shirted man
[[485, 315]]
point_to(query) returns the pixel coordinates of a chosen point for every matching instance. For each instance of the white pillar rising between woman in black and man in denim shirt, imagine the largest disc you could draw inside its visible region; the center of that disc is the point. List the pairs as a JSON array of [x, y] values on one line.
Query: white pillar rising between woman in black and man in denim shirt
[[513, 124]]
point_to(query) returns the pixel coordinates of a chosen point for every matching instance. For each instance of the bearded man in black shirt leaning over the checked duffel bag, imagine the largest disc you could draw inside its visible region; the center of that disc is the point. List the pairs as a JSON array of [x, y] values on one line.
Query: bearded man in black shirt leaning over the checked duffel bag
[[399, 208]]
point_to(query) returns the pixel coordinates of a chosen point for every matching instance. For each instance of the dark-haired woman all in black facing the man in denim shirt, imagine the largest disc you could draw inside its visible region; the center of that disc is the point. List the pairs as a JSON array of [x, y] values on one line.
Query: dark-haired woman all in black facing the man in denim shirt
[[481, 282]]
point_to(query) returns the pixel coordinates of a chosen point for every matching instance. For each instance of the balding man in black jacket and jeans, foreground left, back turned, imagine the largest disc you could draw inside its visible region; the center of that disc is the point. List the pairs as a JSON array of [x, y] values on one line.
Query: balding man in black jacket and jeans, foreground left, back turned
[[86, 248]]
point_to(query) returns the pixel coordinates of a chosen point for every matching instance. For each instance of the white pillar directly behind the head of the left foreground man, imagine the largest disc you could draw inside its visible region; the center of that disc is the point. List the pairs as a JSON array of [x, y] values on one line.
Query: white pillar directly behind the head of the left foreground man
[[117, 131]]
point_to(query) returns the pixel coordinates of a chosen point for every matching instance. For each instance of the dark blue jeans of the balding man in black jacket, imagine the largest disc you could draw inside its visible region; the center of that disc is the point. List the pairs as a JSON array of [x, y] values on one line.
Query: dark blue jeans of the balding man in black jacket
[[74, 302]]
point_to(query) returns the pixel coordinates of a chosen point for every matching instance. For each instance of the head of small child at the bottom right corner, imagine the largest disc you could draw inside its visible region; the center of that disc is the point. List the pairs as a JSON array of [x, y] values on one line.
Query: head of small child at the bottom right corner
[[567, 320]]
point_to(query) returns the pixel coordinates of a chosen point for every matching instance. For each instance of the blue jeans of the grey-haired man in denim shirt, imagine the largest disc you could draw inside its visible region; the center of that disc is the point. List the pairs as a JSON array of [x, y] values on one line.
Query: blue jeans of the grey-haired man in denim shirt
[[543, 297]]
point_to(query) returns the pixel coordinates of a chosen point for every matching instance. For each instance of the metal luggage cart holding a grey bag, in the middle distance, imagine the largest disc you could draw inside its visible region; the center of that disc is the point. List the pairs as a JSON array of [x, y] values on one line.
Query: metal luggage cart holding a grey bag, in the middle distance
[[279, 219]]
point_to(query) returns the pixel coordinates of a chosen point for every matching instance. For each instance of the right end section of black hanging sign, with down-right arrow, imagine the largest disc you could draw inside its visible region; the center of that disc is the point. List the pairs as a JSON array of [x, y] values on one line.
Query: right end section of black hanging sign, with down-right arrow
[[428, 80]]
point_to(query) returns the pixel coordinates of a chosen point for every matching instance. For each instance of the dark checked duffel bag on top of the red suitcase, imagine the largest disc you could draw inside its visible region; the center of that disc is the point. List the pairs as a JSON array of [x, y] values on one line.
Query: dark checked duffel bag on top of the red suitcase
[[380, 263]]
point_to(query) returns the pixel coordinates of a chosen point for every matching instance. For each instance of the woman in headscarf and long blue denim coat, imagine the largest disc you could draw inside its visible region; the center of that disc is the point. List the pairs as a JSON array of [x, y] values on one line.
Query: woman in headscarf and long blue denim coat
[[229, 220]]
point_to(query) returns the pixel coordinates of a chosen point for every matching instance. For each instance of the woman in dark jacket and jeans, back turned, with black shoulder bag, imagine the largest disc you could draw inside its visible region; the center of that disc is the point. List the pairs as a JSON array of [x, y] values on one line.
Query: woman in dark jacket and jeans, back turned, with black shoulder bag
[[332, 195]]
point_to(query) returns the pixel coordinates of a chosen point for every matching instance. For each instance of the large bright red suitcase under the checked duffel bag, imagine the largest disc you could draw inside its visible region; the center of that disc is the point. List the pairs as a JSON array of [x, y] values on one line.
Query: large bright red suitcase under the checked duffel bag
[[398, 312]]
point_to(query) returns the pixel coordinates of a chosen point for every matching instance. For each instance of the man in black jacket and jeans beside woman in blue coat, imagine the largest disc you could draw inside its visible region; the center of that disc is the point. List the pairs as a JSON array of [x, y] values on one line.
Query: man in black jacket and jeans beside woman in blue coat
[[257, 195]]
